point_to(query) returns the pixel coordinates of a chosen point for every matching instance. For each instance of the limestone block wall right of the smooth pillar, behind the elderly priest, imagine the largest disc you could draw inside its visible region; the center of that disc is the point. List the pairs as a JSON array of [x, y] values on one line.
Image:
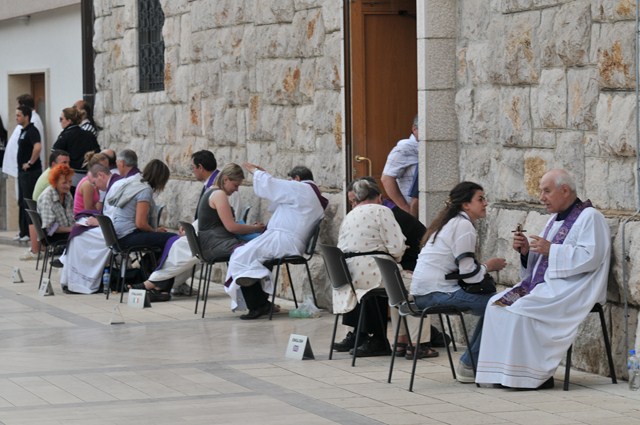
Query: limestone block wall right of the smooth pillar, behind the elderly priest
[[543, 84]]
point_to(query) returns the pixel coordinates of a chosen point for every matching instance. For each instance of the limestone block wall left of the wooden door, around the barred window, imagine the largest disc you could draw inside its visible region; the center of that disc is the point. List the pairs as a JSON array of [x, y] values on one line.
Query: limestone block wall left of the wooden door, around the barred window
[[257, 81]]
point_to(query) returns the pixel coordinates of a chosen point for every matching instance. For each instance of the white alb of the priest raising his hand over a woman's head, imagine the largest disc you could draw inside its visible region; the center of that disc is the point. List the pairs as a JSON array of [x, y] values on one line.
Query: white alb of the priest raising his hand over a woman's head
[[296, 210]]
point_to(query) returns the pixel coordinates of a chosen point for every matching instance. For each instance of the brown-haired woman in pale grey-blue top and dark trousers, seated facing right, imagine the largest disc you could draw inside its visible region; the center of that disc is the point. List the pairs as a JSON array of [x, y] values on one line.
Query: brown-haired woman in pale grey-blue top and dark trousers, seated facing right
[[130, 203]]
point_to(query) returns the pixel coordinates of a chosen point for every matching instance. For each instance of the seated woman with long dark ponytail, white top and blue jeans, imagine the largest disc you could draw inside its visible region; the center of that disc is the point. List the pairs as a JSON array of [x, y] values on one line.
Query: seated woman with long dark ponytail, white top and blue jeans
[[451, 234]]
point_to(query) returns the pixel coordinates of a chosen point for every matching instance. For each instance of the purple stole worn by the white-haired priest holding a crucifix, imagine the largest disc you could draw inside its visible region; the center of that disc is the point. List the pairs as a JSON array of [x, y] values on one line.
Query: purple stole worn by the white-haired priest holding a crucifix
[[536, 278]]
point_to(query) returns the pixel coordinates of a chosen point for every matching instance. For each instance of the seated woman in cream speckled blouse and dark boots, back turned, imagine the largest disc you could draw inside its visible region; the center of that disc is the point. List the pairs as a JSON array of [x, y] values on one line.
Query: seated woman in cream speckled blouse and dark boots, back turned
[[369, 227]]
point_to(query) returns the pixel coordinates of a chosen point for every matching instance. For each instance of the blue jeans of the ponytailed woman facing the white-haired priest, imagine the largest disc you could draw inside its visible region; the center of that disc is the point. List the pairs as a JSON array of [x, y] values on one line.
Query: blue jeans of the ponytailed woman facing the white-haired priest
[[475, 302]]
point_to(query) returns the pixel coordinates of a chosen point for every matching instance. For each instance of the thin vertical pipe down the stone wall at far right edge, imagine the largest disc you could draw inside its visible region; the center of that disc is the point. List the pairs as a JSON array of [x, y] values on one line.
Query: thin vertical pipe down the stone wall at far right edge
[[625, 256]]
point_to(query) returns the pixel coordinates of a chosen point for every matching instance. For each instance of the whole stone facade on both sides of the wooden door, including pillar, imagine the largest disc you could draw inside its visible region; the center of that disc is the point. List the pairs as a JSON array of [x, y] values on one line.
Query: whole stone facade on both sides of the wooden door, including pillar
[[506, 90]]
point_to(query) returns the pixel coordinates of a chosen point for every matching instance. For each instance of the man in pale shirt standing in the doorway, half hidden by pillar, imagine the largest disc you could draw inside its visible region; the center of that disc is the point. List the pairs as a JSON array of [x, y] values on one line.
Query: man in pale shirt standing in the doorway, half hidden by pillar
[[399, 170]]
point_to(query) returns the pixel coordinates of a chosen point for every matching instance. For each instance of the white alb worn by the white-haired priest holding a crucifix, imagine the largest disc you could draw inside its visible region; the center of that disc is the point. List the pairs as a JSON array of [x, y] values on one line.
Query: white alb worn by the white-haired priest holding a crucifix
[[523, 344]]
